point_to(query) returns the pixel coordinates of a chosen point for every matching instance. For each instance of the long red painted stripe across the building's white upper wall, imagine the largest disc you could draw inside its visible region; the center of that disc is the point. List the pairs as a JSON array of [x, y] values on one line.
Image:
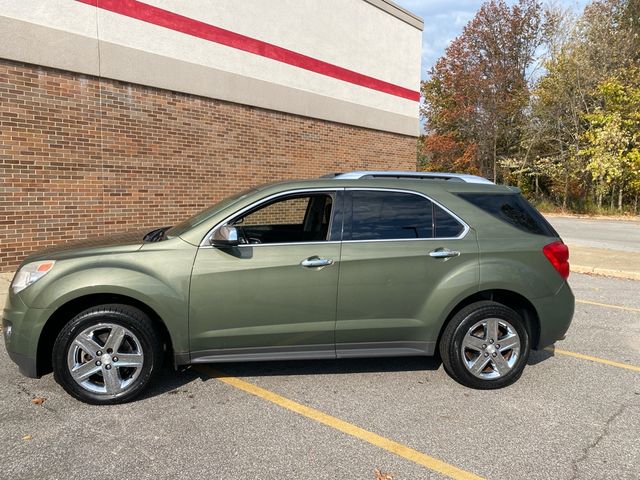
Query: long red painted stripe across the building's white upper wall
[[179, 23]]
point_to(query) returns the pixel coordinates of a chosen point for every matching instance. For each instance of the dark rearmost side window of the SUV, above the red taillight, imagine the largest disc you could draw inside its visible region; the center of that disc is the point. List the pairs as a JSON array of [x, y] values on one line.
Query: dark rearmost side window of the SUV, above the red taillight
[[512, 209]]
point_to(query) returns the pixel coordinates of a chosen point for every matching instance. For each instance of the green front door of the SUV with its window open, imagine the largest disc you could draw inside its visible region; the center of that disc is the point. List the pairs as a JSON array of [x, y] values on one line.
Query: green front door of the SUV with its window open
[[274, 296]]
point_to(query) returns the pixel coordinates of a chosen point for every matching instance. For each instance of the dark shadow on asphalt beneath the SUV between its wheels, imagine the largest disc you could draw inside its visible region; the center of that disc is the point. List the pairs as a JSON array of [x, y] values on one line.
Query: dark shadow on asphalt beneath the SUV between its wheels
[[170, 381]]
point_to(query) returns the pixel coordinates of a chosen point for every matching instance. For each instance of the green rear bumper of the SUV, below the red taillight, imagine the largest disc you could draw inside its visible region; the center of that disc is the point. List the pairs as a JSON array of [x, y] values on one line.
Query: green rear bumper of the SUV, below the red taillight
[[554, 314]]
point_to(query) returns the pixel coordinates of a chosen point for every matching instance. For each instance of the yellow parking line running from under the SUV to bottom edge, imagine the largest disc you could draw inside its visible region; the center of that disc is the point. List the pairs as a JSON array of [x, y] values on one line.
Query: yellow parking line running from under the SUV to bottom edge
[[374, 439]]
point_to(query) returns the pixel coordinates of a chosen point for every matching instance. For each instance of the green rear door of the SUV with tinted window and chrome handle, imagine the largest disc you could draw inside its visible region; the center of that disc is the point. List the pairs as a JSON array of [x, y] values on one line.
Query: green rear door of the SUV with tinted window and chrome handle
[[403, 259]]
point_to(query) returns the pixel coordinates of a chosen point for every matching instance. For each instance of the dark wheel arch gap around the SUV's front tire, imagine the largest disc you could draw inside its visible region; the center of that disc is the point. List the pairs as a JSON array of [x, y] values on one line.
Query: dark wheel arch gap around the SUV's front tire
[[71, 308]]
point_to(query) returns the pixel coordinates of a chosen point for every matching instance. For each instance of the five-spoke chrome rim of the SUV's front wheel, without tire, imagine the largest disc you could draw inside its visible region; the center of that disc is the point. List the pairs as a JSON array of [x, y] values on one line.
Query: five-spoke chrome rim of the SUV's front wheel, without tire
[[105, 358]]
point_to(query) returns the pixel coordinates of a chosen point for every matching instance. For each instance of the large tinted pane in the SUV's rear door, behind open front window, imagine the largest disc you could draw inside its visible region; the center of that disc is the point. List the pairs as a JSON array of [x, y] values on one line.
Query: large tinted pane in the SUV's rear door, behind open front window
[[389, 215]]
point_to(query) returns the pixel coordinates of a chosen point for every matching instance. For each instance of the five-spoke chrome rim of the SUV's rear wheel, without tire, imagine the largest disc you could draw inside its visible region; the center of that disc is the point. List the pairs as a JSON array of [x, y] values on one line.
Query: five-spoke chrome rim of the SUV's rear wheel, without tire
[[490, 348]]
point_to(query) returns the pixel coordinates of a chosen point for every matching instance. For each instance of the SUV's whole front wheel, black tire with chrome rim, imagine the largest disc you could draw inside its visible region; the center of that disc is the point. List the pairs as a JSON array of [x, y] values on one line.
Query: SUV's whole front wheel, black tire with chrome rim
[[139, 345]]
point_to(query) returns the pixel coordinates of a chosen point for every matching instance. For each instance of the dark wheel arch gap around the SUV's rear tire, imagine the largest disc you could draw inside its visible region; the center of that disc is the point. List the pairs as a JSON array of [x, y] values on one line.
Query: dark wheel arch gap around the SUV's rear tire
[[508, 298]]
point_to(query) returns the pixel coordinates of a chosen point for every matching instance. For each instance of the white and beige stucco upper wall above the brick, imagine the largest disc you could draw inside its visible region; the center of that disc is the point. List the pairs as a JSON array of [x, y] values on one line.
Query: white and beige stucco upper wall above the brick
[[351, 34]]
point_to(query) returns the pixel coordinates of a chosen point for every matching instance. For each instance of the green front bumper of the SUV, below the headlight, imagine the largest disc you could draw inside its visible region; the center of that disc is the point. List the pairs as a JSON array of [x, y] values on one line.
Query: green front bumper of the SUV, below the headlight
[[21, 327]]
